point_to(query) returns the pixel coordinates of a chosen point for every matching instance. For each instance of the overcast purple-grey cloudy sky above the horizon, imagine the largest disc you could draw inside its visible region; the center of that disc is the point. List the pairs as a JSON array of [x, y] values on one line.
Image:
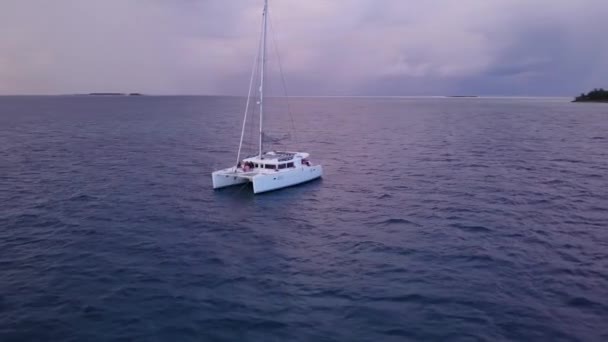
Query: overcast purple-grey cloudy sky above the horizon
[[327, 47]]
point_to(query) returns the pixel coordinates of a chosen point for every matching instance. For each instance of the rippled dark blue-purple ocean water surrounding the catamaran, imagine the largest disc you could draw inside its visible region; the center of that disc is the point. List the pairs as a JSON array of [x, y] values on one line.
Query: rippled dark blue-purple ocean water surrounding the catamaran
[[438, 219]]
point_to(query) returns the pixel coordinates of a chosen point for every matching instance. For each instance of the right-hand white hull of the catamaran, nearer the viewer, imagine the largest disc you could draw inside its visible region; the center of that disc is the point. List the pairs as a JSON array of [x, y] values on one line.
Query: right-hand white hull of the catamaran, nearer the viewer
[[270, 182]]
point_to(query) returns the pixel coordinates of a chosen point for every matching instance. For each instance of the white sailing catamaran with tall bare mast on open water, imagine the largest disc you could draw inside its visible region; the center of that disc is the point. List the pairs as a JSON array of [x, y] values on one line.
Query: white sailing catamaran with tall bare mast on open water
[[268, 170]]
